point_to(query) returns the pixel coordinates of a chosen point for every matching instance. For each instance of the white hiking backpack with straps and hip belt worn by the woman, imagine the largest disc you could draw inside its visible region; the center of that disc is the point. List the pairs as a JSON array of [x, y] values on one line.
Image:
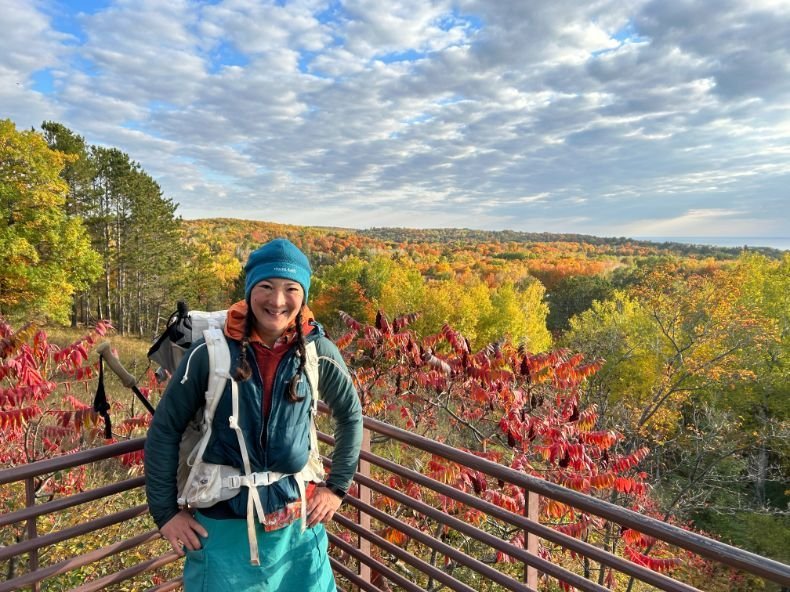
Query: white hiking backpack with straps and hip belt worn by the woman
[[202, 484]]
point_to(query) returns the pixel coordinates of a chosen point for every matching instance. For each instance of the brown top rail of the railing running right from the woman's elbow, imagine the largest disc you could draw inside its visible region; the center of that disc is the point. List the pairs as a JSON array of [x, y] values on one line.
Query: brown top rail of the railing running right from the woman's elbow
[[706, 547]]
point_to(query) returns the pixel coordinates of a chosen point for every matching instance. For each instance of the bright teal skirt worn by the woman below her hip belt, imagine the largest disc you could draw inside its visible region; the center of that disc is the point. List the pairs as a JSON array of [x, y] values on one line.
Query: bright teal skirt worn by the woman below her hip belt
[[291, 560]]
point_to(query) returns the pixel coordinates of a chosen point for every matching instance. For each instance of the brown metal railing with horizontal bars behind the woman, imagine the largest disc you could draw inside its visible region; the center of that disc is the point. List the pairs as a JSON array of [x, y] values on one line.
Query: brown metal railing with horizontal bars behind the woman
[[372, 558]]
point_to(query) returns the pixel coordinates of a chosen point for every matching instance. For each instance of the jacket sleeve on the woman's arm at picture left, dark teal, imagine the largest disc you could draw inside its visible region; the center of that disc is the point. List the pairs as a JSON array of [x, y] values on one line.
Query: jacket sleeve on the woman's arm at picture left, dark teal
[[178, 406]]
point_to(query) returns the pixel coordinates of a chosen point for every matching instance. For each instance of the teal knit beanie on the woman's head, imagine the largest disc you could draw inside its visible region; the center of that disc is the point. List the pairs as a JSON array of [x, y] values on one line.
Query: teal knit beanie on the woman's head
[[279, 258]]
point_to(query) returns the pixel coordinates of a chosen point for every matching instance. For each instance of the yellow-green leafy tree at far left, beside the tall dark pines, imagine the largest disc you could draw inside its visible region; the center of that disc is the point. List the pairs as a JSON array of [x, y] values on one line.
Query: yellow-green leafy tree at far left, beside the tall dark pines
[[45, 254]]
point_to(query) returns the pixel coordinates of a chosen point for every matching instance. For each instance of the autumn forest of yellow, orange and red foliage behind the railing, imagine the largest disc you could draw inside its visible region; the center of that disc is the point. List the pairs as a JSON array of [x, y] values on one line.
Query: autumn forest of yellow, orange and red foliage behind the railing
[[656, 376]]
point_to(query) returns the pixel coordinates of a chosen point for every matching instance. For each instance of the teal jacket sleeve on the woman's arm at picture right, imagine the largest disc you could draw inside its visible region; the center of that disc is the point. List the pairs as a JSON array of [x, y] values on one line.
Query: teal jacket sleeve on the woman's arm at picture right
[[337, 390]]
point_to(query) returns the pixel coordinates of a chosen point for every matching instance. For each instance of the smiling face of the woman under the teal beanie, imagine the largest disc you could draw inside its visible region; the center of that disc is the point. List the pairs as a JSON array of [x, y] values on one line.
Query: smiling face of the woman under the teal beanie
[[275, 303]]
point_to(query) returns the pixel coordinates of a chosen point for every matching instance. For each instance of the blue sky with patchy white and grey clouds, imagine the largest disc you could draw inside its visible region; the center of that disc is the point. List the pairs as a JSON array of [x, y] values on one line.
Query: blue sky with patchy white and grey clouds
[[612, 118]]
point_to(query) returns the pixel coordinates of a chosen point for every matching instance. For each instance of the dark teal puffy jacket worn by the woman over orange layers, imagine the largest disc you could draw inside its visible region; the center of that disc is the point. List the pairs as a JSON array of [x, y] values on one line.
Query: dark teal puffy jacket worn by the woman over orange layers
[[283, 448]]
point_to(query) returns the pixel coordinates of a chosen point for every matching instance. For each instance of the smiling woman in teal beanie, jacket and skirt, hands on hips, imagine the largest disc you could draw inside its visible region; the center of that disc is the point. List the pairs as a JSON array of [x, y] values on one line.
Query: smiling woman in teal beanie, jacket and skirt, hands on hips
[[267, 334]]
